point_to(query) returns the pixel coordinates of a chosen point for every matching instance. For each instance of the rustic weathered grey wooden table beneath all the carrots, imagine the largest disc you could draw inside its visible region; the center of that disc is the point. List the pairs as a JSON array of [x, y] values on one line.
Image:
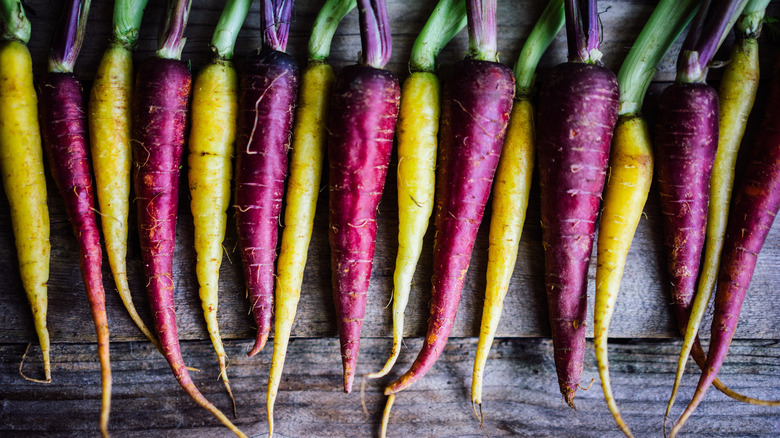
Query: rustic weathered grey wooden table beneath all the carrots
[[521, 395]]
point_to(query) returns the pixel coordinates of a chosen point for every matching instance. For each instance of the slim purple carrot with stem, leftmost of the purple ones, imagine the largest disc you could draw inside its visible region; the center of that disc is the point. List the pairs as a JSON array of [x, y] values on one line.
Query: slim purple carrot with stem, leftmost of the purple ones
[[64, 127]]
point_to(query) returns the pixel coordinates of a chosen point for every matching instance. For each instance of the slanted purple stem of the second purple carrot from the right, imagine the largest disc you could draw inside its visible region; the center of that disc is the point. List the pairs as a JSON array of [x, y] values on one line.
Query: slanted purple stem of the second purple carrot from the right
[[711, 24]]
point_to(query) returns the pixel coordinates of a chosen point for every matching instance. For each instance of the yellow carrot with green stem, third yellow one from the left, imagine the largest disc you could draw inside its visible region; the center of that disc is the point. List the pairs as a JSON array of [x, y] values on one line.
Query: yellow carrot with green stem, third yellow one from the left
[[211, 147]]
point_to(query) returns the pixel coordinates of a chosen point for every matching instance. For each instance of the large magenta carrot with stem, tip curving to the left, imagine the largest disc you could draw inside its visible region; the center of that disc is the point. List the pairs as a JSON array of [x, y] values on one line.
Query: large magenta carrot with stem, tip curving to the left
[[476, 102]]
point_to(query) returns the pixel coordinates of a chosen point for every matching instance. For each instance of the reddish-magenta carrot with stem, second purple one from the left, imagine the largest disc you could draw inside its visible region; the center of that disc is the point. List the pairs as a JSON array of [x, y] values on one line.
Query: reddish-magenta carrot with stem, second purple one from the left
[[159, 120]]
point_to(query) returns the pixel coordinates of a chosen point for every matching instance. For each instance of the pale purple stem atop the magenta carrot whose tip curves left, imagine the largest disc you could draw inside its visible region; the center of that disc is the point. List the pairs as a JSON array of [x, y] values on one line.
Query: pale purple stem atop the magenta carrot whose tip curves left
[[481, 15]]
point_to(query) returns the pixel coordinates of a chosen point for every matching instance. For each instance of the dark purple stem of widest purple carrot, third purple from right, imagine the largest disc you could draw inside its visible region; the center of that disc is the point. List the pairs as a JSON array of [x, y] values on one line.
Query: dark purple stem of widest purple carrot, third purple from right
[[582, 31]]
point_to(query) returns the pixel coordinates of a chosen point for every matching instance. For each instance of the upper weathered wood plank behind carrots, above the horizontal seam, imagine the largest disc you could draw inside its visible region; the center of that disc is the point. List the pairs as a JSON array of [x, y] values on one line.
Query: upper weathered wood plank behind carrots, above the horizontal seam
[[642, 309]]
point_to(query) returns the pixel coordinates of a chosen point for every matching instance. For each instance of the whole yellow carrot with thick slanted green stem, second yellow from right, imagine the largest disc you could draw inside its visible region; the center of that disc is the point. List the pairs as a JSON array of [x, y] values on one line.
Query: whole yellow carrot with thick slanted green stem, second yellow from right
[[631, 173]]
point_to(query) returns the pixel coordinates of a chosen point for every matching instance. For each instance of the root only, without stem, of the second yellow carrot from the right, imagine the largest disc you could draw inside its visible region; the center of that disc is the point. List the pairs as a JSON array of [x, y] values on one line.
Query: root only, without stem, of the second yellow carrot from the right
[[625, 194]]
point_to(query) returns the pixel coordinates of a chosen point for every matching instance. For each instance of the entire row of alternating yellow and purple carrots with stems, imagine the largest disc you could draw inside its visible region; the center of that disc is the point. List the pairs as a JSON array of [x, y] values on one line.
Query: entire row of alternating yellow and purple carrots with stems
[[456, 142]]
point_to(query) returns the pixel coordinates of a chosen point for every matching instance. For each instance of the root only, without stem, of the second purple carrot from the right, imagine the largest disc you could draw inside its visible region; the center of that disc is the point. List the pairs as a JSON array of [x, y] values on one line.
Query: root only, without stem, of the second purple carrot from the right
[[685, 146]]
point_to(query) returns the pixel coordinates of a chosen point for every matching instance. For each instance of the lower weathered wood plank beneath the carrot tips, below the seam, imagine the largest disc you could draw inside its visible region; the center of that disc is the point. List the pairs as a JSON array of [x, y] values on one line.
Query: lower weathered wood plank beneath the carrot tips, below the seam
[[521, 394]]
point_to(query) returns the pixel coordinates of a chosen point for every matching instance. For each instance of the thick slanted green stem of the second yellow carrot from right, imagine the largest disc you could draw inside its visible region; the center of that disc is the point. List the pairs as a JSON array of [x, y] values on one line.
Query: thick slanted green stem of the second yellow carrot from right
[[663, 28]]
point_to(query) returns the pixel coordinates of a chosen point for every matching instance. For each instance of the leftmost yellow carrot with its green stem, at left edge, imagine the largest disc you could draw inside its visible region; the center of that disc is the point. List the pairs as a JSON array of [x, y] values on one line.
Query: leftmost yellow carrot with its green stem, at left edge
[[21, 163]]
